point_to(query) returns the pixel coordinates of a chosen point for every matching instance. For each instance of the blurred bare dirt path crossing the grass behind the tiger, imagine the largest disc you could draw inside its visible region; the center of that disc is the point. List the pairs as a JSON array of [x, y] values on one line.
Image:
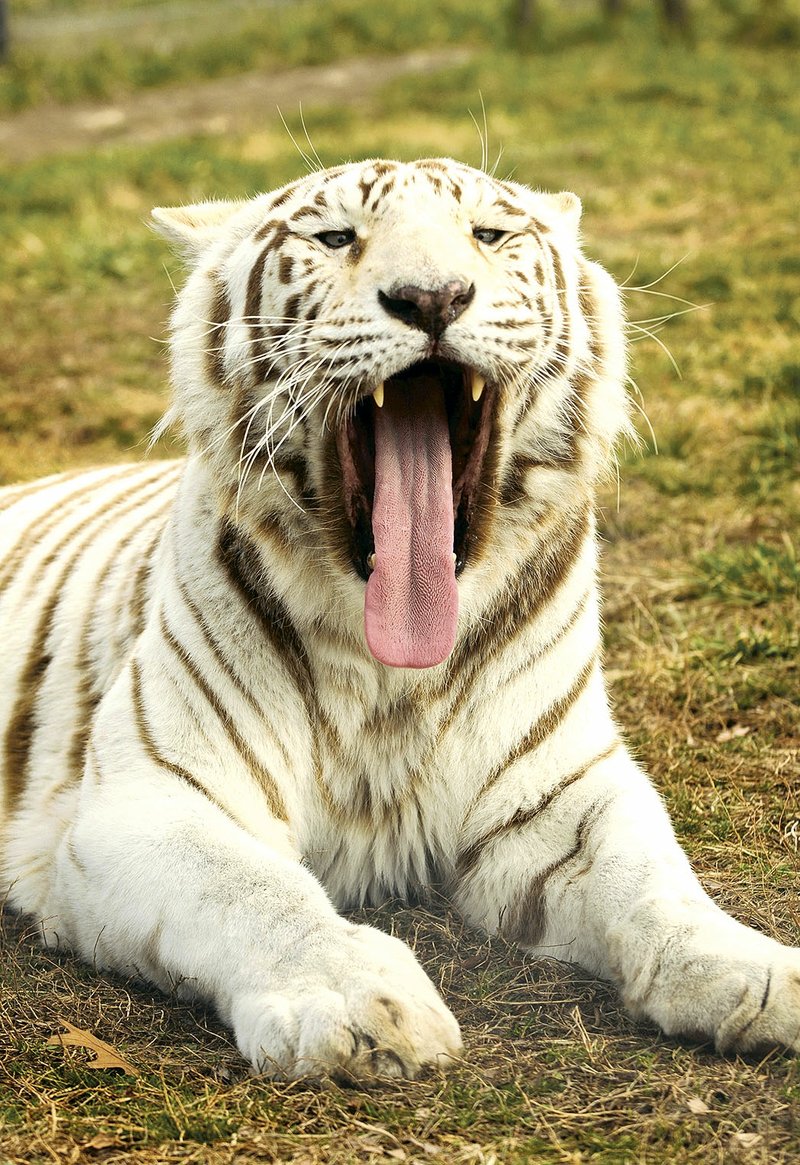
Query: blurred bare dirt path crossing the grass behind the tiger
[[228, 105]]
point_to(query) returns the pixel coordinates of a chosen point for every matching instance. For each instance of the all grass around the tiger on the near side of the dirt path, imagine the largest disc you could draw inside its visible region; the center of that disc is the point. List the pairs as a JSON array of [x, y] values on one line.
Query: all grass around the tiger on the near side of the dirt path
[[682, 158]]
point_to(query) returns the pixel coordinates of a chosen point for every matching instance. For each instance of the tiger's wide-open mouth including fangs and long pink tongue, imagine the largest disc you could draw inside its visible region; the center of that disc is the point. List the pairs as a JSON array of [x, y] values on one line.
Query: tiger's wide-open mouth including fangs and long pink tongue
[[413, 461]]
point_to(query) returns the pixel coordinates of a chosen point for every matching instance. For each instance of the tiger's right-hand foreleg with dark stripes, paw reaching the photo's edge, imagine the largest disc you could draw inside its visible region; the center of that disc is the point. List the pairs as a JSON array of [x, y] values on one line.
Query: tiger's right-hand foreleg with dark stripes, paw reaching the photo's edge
[[598, 879]]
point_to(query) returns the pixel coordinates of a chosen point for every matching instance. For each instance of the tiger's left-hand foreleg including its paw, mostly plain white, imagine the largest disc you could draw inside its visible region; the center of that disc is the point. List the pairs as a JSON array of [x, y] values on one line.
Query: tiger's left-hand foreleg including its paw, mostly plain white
[[157, 878]]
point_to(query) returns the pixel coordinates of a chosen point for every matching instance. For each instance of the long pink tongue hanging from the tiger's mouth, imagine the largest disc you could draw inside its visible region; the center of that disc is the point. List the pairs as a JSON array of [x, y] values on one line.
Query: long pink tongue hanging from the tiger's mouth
[[413, 603]]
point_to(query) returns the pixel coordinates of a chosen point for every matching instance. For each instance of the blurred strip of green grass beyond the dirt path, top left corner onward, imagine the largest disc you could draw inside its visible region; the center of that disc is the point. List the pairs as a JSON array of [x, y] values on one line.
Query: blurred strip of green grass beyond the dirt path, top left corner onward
[[217, 44]]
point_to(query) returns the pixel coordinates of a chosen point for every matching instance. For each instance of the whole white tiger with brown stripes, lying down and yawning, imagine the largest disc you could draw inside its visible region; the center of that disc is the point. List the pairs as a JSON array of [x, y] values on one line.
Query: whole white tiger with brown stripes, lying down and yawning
[[350, 648]]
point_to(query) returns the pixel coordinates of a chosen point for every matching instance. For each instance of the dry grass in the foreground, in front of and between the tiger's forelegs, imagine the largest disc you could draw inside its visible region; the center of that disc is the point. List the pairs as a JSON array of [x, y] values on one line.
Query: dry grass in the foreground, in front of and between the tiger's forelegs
[[554, 1071]]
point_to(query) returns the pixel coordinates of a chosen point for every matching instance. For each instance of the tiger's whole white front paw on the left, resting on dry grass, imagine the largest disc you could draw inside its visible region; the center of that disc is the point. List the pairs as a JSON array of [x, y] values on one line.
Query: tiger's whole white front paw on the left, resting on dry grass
[[363, 1012]]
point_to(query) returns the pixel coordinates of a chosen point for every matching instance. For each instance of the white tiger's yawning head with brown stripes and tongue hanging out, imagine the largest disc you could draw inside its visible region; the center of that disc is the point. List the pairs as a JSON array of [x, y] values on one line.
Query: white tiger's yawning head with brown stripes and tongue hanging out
[[410, 366]]
